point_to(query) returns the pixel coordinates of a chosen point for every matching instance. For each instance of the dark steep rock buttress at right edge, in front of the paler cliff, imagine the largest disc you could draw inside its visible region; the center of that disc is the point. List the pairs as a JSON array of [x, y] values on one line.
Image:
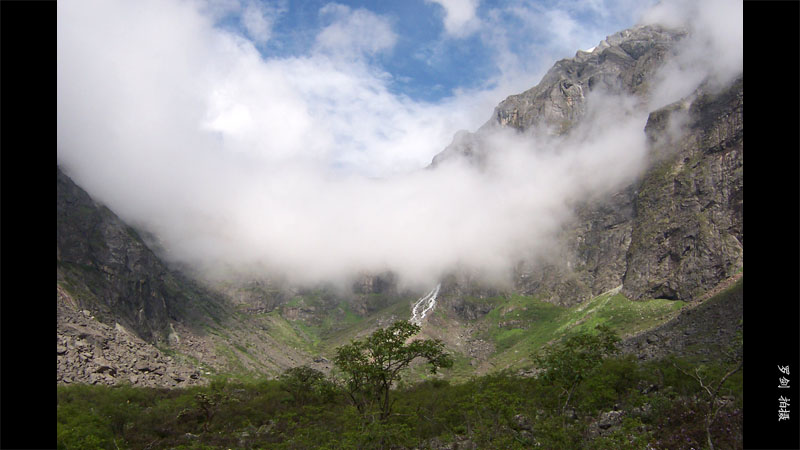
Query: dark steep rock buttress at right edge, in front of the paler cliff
[[687, 232]]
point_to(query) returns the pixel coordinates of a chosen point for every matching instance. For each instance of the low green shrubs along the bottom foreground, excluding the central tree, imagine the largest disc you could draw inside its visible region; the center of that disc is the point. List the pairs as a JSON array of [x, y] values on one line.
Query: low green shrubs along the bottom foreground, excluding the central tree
[[485, 409]]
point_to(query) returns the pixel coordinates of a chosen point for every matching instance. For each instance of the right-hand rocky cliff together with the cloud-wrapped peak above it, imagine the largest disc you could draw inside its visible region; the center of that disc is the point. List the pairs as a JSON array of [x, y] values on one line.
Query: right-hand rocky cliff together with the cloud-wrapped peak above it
[[675, 232]]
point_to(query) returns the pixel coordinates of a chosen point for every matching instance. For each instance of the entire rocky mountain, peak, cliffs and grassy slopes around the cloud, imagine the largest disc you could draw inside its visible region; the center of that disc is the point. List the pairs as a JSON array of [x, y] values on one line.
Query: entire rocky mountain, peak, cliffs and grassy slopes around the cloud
[[647, 256]]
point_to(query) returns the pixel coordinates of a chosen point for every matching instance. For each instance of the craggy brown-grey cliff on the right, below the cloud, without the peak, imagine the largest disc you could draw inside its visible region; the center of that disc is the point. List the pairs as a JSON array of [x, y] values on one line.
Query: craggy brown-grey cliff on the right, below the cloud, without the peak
[[674, 233]]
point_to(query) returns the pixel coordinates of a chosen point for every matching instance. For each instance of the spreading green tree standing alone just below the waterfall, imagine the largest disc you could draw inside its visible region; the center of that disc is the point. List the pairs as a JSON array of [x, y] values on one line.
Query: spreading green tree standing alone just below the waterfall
[[371, 366]]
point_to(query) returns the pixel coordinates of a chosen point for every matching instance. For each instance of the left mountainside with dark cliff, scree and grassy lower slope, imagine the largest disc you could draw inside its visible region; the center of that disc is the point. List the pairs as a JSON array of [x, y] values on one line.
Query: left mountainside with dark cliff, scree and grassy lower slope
[[125, 316]]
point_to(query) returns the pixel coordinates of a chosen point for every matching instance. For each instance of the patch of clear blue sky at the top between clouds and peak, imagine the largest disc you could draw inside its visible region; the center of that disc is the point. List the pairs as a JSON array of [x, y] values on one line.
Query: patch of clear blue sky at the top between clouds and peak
[[439, 48]]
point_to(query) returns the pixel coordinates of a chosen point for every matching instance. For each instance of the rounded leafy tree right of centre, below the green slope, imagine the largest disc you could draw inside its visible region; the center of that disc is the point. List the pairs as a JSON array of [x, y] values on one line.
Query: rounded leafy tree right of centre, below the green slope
[[567, 363]]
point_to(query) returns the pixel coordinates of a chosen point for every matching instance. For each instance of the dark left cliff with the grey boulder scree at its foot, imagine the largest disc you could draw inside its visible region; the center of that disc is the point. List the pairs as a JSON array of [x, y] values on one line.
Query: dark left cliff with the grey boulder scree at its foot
[[117, 302]]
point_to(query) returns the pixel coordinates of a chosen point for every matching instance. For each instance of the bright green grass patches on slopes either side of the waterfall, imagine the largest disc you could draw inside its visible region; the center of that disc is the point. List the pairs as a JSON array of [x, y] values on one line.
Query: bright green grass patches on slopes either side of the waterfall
[[517, 326]]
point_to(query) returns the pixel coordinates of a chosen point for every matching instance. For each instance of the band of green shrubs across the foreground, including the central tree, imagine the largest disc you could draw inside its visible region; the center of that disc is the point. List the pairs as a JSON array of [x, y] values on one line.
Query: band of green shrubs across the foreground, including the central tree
[[619, 403]]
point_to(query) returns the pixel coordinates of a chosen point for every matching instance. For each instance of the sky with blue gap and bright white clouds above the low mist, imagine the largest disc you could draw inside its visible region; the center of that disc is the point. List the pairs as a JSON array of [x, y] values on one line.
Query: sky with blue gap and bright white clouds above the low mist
[[368, 88]]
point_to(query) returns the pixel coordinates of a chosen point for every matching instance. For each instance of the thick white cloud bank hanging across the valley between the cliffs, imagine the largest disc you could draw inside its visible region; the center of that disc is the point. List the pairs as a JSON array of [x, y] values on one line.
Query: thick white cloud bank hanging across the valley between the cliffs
[[305, 166]]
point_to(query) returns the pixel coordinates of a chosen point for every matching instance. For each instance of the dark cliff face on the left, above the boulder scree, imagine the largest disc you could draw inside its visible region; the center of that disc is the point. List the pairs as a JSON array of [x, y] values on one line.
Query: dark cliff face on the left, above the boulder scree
[[112, 273]]
